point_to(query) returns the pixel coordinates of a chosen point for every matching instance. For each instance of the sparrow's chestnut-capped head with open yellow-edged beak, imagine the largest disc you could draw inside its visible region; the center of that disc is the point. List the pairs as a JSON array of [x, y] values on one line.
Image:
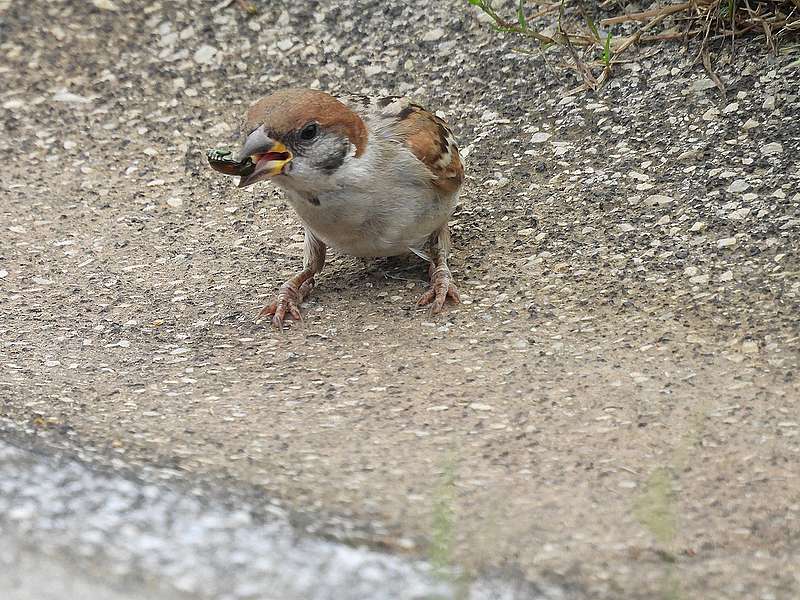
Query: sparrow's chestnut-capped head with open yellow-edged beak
[[301, 135]]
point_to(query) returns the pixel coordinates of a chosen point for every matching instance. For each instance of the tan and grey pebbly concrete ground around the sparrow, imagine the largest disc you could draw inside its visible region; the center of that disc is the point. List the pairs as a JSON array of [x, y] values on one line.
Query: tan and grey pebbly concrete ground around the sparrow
[[613, 408]]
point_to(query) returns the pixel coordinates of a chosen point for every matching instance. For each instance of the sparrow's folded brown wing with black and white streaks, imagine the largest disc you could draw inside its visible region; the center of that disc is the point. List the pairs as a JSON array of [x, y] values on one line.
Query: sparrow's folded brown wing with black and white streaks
[[427, 136]]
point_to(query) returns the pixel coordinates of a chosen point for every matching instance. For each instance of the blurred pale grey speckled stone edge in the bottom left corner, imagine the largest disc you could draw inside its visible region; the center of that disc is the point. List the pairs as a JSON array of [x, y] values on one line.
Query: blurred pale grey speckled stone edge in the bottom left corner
[[153, 541]]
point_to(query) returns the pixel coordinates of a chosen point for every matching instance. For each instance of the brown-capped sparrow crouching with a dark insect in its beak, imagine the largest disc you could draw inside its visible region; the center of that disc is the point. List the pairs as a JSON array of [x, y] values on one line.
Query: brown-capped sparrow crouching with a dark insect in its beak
[[367, 176]]
